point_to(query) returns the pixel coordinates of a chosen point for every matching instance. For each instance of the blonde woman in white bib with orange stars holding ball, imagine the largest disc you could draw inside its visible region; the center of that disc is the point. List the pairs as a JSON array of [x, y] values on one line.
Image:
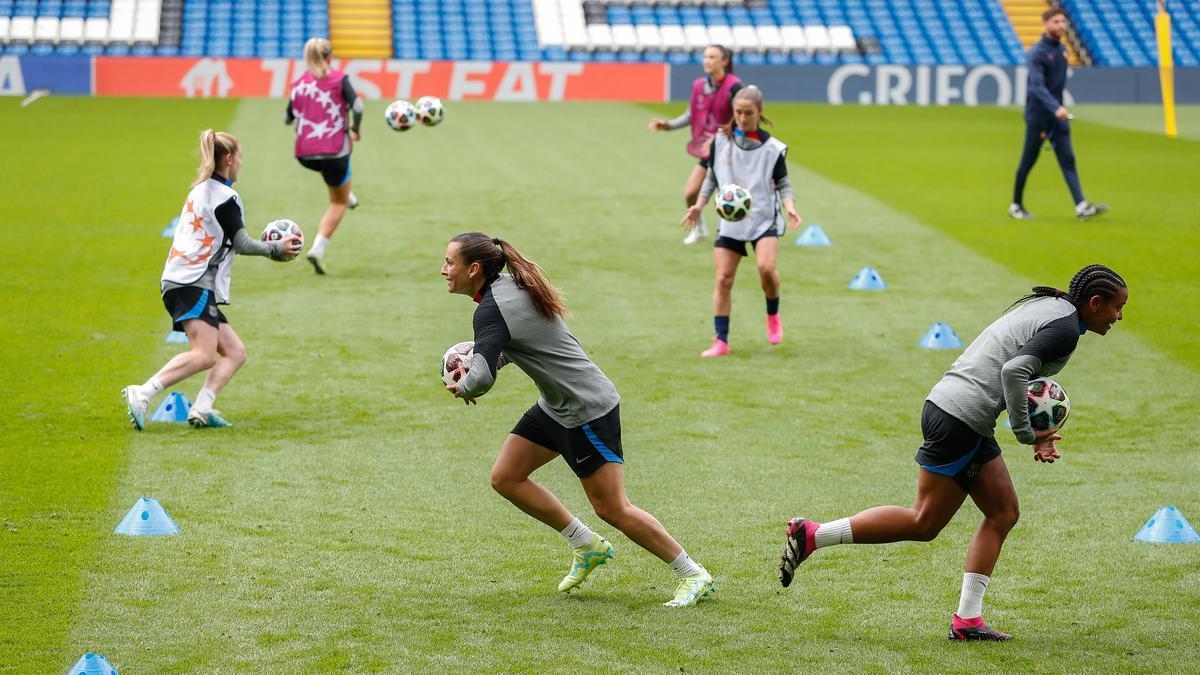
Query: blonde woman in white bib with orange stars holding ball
[[196, 282]]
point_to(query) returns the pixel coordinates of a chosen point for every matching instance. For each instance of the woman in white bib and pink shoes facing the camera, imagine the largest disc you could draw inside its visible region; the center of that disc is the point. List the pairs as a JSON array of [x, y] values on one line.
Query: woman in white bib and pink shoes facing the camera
[[754, 159]]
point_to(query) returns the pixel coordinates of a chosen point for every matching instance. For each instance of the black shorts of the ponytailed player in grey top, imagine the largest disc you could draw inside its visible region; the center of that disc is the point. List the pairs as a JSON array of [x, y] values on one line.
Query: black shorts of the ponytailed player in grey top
[[585, 449]]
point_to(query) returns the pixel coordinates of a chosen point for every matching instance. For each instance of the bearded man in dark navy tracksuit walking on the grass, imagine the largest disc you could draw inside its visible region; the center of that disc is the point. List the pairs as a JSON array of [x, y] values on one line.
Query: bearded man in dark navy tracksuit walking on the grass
[[1046, 117]]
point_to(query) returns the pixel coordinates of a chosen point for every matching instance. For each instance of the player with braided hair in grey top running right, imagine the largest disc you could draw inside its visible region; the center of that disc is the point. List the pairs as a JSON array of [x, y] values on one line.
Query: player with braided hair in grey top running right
[[961, 456]]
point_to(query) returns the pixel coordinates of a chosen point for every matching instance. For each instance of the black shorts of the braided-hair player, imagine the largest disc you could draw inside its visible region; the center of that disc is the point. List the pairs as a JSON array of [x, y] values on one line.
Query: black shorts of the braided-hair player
[[952, 449]]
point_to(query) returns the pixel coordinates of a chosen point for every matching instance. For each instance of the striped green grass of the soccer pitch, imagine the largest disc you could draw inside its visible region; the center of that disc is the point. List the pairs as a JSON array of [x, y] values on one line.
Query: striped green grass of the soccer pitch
[[346, 523]]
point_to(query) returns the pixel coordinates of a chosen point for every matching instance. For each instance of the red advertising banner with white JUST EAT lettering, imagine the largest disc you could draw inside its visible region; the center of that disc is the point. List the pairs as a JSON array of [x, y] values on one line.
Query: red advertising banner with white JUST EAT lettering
[[385, 80]]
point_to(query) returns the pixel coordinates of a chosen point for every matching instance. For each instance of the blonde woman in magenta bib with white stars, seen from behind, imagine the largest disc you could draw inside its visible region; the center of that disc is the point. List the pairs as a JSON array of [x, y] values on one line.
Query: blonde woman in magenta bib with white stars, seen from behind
[[320, 104]]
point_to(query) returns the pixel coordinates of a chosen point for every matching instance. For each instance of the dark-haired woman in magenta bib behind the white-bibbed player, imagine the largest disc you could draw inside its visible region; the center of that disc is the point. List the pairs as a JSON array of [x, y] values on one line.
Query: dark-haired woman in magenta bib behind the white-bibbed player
[[711, 107]]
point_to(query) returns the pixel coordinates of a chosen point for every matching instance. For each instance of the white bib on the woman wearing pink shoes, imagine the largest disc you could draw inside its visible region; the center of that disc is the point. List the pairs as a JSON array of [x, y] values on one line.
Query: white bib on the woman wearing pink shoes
[[752, 170]]
